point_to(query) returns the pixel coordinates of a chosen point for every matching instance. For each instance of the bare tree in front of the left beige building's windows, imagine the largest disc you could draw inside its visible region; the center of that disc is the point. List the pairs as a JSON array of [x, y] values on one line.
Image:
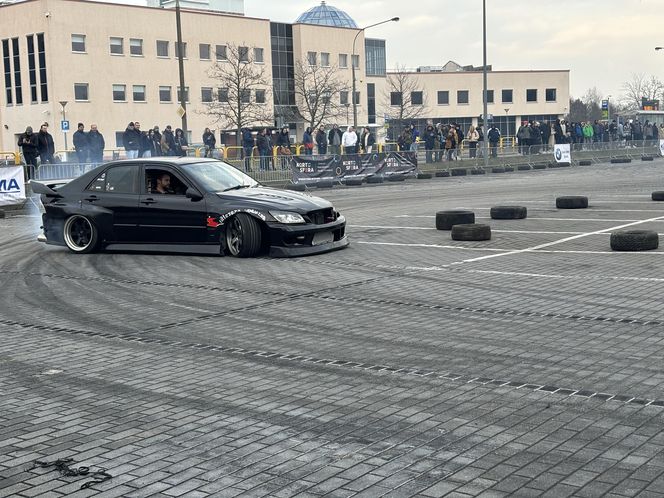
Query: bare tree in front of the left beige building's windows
[[239, 82]]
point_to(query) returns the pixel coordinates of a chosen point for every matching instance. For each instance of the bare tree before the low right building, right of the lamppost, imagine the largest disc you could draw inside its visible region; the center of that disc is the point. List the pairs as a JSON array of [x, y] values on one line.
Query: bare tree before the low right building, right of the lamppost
[[401, 87]]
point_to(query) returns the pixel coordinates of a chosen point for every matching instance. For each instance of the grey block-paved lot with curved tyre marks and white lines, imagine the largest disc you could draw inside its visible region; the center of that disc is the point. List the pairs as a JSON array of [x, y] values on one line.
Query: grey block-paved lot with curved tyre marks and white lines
[[405, 365]]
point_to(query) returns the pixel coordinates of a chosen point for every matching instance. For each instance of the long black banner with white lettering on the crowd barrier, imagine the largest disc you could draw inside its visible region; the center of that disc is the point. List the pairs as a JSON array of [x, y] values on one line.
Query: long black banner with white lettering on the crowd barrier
[[360, 166]]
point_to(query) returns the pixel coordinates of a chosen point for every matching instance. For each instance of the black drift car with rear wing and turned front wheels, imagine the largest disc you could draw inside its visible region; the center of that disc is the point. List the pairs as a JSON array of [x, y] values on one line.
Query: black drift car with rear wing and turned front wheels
[[185, 205]]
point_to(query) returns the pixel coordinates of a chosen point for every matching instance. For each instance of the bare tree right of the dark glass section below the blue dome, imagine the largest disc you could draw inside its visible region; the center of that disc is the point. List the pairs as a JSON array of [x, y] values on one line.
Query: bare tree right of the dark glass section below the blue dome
[[318, 92]]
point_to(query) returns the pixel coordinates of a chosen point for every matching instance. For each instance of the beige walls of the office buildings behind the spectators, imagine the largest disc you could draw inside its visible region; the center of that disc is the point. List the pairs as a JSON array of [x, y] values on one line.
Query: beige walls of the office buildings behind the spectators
[[82, 38]]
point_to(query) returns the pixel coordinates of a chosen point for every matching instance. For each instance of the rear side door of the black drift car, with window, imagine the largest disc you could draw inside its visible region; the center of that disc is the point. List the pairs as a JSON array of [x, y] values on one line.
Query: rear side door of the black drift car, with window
[[113, 198]]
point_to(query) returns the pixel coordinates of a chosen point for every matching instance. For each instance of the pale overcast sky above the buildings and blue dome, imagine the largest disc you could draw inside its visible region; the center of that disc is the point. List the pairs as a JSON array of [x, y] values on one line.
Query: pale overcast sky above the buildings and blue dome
[[602, 42]]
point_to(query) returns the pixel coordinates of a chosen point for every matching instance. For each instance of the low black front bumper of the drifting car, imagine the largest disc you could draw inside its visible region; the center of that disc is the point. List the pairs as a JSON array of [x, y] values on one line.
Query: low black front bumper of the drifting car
[[301, 240]]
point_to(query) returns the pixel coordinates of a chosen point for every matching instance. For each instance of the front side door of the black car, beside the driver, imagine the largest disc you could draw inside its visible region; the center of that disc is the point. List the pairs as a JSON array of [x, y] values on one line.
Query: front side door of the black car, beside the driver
[[170, 218]]
